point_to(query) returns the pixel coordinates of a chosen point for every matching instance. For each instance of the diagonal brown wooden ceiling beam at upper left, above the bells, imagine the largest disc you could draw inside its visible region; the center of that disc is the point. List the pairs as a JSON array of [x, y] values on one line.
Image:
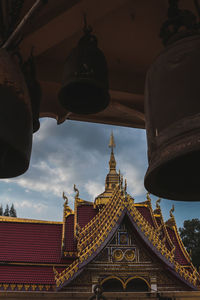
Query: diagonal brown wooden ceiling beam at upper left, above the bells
[[67, 24]]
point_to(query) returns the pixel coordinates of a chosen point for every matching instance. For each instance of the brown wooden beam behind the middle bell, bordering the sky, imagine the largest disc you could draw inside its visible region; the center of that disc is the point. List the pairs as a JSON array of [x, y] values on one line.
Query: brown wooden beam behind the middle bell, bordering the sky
[[124, 108]]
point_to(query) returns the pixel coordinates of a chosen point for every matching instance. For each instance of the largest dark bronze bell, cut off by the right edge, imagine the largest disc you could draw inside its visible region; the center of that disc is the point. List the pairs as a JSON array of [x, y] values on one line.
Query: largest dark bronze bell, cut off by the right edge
[[172, 104]]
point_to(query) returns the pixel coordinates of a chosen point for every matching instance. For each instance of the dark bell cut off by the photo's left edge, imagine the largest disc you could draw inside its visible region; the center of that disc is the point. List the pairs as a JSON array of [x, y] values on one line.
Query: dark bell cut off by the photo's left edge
[[15, 119]]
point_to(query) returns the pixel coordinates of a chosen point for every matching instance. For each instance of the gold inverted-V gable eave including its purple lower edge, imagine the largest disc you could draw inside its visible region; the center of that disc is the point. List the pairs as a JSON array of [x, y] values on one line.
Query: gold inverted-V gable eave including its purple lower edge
[[96, 234]]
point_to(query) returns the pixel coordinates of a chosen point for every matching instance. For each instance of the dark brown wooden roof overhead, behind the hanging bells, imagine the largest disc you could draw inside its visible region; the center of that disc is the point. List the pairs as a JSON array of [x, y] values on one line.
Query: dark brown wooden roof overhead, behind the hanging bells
[[128, 34]]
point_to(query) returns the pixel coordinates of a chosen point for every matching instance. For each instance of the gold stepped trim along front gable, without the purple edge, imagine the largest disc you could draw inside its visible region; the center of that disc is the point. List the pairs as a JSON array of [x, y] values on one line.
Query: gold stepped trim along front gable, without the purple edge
[[96, 231]]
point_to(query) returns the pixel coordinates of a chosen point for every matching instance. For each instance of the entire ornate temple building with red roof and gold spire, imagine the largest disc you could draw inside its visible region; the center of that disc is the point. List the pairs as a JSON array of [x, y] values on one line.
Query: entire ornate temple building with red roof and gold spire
[[113, 242]]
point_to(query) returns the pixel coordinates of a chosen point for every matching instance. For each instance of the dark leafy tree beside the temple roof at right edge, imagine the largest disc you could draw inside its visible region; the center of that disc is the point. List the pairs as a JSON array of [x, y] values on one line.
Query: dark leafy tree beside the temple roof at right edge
[[190, 234]]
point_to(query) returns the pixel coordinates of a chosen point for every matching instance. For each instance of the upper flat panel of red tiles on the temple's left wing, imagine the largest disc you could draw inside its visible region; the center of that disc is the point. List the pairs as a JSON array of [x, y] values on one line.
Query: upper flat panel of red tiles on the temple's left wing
[[30, 242]]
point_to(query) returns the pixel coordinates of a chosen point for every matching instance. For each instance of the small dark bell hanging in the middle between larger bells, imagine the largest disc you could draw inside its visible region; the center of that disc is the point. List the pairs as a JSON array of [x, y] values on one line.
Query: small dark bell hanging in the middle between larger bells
[[85, 80]]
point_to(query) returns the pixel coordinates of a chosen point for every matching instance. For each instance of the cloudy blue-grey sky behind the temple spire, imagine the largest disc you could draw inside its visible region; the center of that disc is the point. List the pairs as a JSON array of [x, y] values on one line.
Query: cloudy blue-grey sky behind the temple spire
[[77, 152]]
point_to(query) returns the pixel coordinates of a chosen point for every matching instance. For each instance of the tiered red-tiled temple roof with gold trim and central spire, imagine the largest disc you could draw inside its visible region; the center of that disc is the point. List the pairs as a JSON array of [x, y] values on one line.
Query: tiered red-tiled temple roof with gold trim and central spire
[[39, 255]]
